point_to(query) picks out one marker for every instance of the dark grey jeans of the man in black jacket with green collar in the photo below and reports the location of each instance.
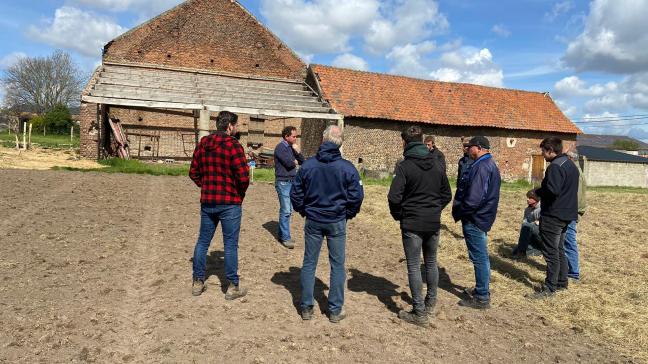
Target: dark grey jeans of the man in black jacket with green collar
(413, 244)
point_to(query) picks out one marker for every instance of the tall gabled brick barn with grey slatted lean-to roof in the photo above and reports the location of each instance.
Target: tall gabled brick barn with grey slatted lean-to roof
(164, 80)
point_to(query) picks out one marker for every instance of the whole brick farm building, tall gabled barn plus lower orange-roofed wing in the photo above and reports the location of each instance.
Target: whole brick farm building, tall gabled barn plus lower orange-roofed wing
(164, 80)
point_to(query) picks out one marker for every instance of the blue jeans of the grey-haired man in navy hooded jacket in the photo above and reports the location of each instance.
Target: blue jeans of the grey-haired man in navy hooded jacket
(314, 233)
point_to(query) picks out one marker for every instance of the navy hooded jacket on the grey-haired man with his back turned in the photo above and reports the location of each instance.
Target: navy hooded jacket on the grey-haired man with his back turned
(327, 188)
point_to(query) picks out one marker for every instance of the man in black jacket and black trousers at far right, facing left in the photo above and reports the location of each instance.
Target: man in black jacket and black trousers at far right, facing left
(559, 193)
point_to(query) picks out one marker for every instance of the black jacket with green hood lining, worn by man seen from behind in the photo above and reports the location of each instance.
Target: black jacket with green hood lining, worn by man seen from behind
(419, 191)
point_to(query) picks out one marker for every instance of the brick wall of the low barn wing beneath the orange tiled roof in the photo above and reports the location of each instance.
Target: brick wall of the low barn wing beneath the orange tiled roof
(379, 144)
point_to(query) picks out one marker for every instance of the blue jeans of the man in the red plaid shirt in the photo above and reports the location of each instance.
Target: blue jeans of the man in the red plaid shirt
(230, 217)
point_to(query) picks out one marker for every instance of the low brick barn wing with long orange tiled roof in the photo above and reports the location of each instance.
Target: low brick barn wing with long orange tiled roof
(377, 107)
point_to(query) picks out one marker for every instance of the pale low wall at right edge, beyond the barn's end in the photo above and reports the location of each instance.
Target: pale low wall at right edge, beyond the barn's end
(599, 173)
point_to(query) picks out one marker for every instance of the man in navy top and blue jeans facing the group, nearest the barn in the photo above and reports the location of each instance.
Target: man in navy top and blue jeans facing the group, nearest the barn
(286, 158)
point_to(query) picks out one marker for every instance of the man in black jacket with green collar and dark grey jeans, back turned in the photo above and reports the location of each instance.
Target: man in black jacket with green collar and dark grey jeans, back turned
(418, 193)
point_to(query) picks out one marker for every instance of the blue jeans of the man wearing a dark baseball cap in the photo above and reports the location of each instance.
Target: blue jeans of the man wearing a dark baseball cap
(476, 241)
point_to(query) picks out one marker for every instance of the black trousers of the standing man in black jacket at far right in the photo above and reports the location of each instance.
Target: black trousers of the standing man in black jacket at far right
(552, 233)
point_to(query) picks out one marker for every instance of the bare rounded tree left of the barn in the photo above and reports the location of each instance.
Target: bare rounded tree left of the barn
(40, 83)
